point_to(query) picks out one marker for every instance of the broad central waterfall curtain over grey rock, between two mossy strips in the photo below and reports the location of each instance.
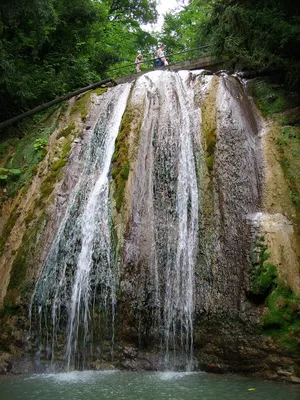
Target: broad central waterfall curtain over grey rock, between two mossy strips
(161, 243)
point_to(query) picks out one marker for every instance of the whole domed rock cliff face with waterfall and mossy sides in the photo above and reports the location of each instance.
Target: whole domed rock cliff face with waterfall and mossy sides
(180, 249)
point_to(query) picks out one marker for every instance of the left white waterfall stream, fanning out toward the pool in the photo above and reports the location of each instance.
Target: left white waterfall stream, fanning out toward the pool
(78, 278)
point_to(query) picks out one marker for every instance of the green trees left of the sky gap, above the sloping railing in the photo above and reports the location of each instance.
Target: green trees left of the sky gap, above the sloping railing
(51, 47)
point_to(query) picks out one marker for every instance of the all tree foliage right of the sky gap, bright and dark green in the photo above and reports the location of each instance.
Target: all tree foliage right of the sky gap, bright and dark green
(253, 34)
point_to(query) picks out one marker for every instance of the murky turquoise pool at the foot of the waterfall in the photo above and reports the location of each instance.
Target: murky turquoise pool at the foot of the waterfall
(119, 385)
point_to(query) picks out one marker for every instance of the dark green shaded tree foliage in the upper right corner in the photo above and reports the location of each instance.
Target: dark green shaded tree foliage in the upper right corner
(255, 34)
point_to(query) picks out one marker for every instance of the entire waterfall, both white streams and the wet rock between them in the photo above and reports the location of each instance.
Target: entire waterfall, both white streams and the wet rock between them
(181, 224)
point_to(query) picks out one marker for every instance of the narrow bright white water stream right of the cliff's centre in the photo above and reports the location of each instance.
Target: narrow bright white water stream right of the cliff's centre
(179, 300)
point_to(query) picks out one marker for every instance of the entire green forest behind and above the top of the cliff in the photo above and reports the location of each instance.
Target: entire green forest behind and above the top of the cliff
(50, 47)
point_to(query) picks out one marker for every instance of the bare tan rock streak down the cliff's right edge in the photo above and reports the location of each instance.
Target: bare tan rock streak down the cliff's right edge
(282, 240)
